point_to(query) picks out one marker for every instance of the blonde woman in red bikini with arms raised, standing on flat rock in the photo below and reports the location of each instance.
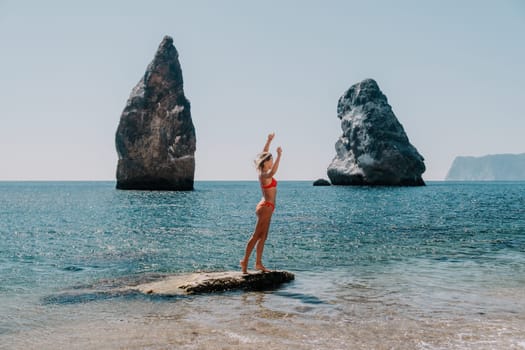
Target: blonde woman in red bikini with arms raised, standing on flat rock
(264, 210)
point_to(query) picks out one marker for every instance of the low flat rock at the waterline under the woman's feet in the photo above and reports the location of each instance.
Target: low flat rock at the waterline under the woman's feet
(209, 282)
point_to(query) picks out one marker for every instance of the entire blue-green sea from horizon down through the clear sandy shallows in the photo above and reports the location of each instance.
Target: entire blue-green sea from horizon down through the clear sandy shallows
(435, 267)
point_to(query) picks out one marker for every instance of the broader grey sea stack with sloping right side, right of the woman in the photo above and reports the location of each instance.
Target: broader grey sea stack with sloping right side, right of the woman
(374, 148)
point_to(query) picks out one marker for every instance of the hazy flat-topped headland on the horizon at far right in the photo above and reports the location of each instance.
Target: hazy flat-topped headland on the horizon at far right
(498, 167)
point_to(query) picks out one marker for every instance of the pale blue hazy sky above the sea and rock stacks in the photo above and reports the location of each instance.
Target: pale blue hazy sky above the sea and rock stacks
(453, 72)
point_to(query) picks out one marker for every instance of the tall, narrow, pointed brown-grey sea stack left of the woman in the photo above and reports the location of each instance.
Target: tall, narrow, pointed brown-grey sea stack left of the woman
(155, 138)
